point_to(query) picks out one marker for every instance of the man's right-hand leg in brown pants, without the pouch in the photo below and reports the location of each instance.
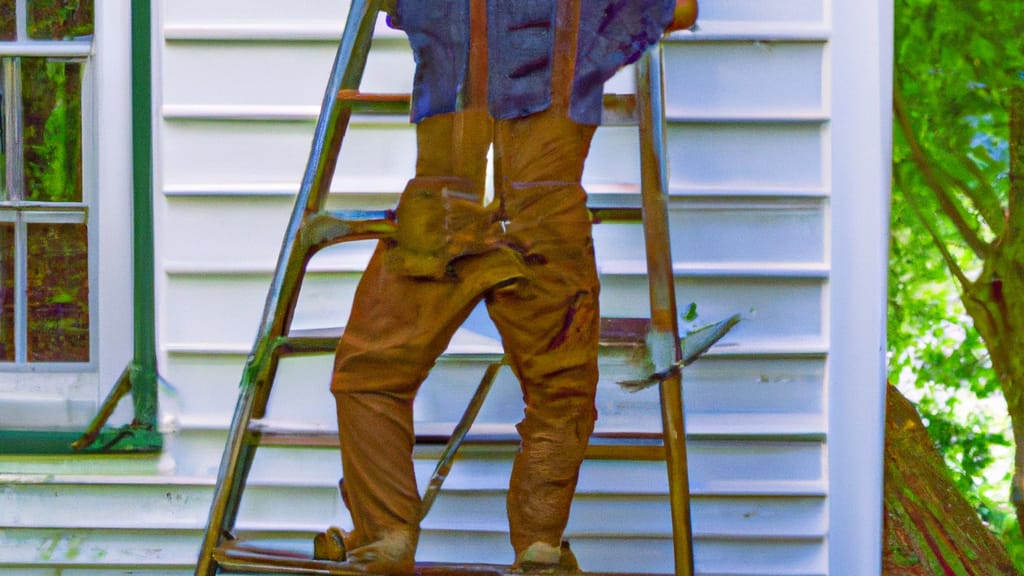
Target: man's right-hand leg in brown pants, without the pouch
(549, 321)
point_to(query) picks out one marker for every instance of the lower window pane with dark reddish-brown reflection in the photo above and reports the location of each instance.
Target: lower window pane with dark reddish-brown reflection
(59, 294)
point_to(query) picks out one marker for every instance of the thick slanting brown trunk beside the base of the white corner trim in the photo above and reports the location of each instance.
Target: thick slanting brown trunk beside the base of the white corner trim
(930, 529)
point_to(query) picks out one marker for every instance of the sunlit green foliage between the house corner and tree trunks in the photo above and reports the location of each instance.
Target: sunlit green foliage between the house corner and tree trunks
(956, 65)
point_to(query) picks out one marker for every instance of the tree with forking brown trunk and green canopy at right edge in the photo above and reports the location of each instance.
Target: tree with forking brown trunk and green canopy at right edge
(959, 172)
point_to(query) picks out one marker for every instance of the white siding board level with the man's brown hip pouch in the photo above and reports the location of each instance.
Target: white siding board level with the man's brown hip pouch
(217, 233)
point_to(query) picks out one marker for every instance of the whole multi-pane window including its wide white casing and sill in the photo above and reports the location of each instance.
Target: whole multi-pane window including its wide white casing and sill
(61, 177)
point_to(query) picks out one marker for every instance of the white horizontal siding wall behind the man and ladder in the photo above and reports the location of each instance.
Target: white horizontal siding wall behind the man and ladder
(749, 155)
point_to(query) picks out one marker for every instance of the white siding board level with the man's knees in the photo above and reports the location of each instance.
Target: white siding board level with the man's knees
(719, 394)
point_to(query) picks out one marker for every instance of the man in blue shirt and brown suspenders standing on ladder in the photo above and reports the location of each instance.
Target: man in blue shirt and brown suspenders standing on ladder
(527, 76)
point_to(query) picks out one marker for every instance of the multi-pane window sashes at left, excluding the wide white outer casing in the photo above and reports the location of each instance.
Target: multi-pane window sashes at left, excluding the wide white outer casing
(46, 312)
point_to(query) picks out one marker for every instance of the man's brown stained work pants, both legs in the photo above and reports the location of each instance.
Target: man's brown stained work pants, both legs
(540, 283)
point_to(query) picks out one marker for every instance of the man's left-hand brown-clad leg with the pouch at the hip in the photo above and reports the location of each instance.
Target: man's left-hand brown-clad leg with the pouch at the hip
(412, 299)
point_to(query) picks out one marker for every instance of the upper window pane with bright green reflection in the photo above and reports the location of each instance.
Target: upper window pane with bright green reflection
(52, 96)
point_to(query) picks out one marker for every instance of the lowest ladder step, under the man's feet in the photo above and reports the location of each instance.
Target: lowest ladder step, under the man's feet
(239, 556)
